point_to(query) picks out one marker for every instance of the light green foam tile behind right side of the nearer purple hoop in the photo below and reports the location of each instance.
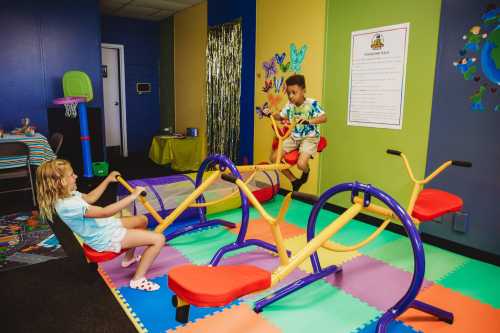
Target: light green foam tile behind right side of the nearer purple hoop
(438, 262)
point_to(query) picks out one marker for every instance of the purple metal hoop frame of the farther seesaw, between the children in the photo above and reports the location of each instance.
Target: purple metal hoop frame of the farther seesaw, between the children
(225, 163)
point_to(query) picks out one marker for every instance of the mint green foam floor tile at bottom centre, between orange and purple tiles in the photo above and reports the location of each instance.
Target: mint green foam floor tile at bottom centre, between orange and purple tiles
(319, 307)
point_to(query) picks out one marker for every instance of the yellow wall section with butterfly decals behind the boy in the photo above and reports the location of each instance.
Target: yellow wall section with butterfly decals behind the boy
(279, 25)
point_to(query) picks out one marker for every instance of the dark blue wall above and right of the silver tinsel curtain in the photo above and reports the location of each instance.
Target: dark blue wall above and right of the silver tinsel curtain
(222, 11)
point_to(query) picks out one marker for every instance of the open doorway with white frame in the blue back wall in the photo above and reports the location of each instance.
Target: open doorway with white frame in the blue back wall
(113, 83)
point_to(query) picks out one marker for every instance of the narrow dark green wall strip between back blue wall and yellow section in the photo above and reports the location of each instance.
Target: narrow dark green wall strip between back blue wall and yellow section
(167, 112)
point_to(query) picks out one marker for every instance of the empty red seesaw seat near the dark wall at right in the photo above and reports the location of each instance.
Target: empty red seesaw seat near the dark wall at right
(432, 203)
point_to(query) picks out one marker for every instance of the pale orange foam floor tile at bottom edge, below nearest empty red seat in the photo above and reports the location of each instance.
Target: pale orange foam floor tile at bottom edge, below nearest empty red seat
(240, 318)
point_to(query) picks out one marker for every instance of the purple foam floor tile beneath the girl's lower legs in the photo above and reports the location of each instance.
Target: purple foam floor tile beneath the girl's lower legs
(167, 259)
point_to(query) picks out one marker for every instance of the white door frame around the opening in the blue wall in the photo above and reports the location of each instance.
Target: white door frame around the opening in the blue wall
(123, 102)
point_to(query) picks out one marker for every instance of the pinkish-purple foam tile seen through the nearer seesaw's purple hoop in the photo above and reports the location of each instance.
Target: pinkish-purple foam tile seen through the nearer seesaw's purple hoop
(374, 282)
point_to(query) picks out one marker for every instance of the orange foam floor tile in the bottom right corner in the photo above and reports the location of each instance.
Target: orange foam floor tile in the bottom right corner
(470, 315)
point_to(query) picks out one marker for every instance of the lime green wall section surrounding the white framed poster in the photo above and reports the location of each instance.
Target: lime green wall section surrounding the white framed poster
(358, 153)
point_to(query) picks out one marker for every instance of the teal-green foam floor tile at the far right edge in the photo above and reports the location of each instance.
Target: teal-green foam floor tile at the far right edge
(476, 279)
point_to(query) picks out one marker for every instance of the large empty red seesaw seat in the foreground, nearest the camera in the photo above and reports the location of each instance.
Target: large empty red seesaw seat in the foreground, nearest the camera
(216, 286)
